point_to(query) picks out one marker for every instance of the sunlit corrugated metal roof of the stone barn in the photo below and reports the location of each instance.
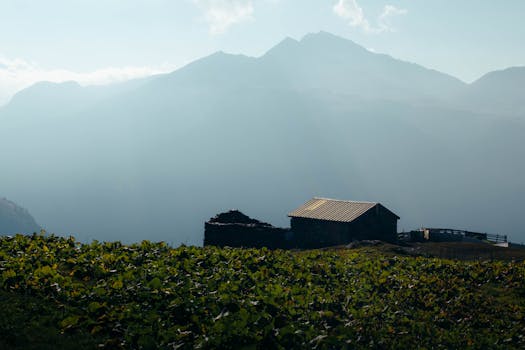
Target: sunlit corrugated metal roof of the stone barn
(332, 209)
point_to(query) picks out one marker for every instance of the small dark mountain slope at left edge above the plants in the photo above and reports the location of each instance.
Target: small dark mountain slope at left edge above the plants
(14, 219)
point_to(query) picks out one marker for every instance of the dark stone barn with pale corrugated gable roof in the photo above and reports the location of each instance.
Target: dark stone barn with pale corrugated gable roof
(323, 222)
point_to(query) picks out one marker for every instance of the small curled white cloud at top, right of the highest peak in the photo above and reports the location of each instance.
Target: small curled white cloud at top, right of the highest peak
(350, 11)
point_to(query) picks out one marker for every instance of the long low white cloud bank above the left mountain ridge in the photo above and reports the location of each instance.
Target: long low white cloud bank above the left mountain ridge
(17, 74)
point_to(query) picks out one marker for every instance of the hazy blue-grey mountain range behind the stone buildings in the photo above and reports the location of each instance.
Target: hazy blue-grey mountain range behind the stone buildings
(155, 158)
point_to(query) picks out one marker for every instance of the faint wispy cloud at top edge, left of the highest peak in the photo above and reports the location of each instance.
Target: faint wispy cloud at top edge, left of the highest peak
(222, 14)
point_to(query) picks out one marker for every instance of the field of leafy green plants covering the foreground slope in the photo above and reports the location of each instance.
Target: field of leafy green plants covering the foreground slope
(149, 295)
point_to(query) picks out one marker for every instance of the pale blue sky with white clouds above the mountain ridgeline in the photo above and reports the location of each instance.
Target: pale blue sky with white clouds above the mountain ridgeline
(104, 41)
